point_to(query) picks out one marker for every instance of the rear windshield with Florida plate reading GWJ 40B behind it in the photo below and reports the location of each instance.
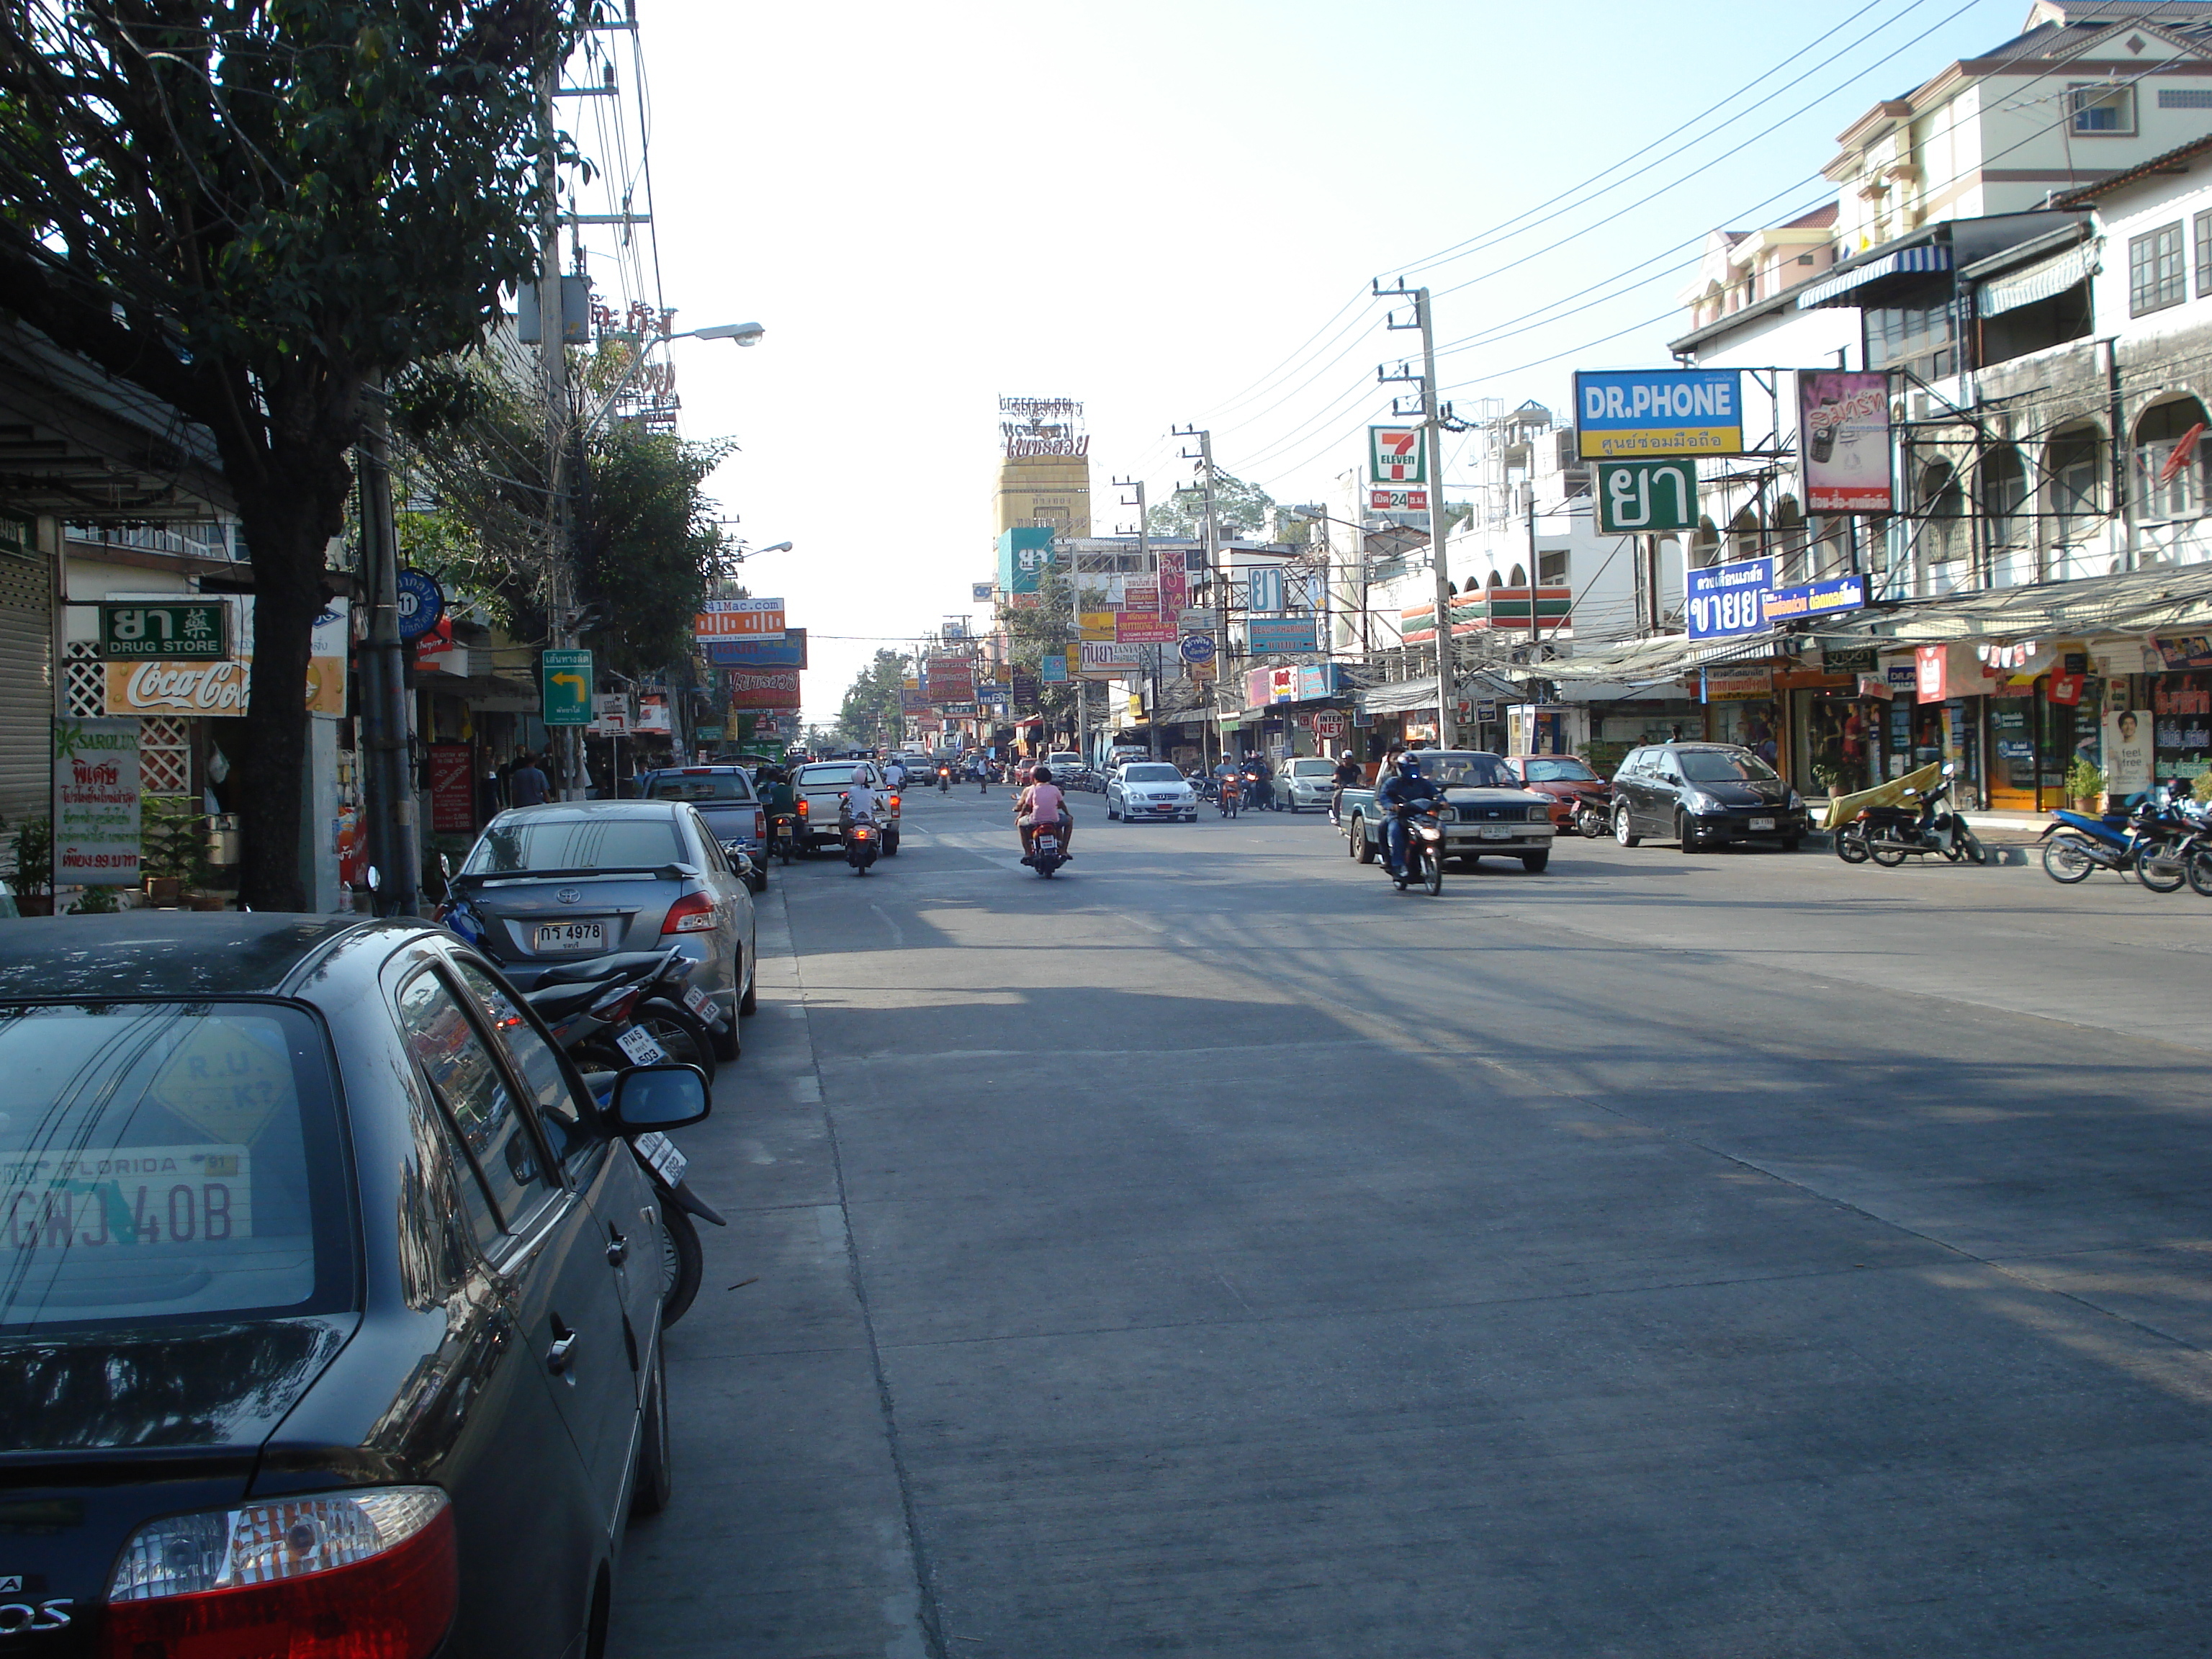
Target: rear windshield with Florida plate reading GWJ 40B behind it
(169, 1160)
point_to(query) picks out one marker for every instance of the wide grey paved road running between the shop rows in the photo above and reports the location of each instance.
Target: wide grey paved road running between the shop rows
(1220, 1253)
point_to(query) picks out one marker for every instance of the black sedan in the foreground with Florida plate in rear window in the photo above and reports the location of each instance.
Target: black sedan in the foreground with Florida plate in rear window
(333, 1300)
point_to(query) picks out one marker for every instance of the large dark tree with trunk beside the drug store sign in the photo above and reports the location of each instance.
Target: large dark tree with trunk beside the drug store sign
(255, 211)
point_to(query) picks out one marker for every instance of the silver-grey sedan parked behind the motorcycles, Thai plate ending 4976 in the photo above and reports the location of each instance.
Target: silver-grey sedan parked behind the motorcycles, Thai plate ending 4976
(587, 879)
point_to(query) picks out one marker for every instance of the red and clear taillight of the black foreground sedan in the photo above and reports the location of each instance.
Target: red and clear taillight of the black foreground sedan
(357, 1576)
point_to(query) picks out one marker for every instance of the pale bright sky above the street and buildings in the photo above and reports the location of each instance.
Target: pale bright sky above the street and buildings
(1156, 207)
